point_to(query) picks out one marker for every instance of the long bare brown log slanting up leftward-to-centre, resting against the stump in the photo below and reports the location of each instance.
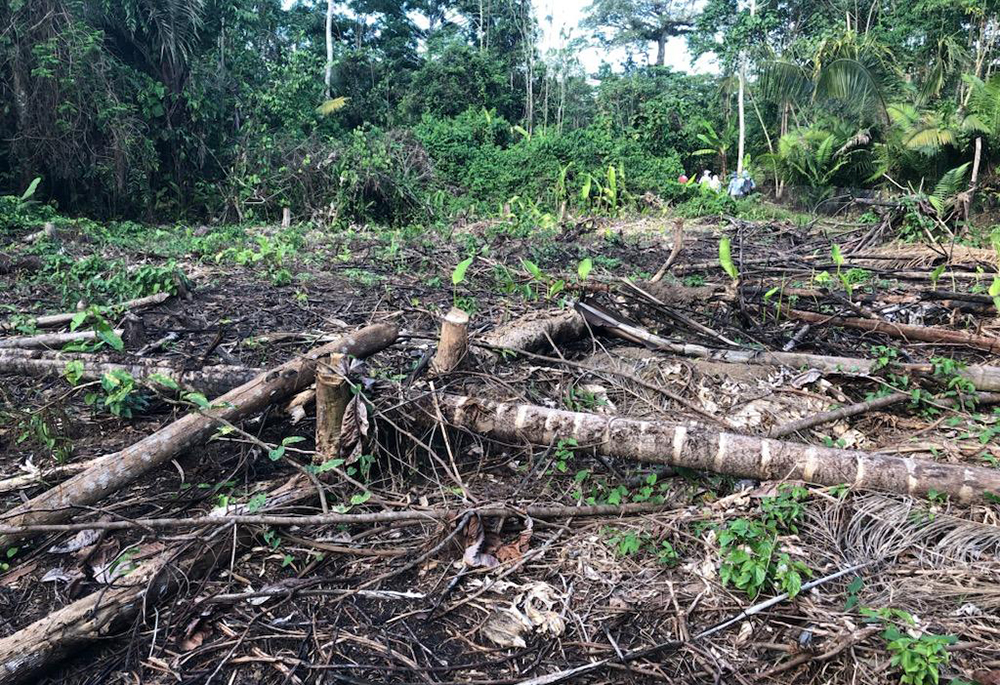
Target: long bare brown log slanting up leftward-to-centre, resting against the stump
(109, 475)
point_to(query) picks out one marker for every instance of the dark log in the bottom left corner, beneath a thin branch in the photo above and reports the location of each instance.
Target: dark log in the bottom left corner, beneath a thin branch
(113, 609)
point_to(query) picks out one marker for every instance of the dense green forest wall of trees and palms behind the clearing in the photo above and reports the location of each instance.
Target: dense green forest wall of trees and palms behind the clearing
(162, 109)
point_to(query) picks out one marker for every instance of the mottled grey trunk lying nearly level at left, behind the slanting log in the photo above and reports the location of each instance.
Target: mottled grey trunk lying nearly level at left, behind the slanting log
(210, 380)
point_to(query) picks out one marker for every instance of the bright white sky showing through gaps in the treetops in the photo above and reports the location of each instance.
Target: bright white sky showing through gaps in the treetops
(567, 14)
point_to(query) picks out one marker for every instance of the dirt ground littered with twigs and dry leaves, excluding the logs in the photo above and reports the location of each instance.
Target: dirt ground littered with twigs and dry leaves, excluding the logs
(400, 602)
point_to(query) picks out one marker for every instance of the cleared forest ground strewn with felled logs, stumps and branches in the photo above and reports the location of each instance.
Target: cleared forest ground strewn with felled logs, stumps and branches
(606, 476)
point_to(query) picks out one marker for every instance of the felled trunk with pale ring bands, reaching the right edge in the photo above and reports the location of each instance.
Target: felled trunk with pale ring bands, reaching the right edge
(702, 449)
